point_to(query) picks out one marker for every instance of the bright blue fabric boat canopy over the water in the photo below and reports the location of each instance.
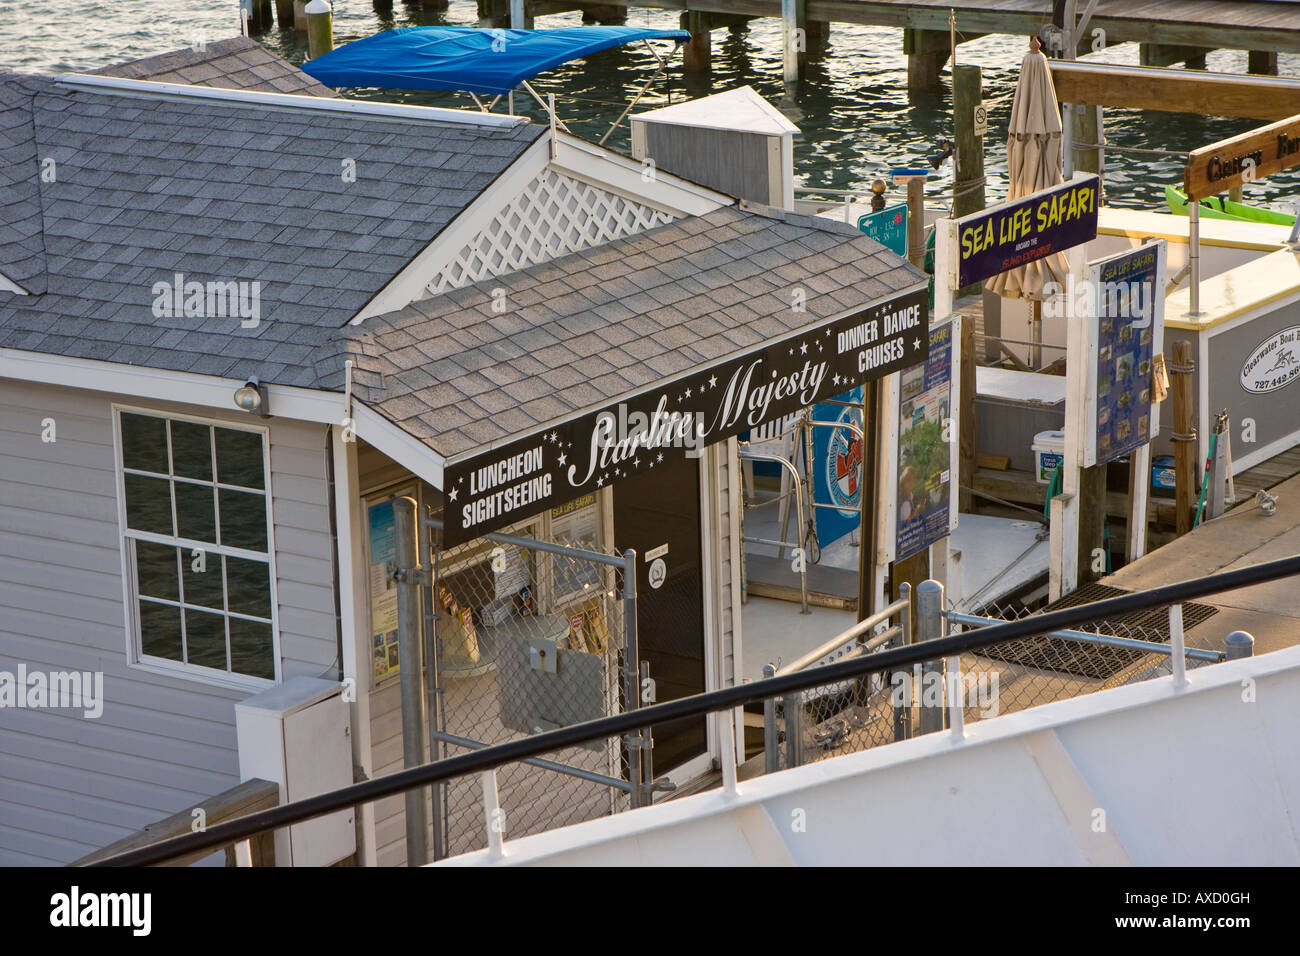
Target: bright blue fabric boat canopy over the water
(467, 58)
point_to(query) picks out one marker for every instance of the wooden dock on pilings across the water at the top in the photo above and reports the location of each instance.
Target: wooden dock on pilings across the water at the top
(1169, 31)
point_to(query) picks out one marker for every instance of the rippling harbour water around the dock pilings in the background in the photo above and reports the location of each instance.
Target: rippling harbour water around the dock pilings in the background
(855, 110)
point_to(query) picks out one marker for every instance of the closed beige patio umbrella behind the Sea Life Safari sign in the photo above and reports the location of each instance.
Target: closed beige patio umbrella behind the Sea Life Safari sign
(1033, 163)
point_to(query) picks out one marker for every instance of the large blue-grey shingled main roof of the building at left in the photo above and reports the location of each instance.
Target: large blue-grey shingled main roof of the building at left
(144, 187)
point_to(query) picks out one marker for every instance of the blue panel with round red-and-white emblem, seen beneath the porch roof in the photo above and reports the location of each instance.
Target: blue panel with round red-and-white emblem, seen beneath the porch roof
(838, 469)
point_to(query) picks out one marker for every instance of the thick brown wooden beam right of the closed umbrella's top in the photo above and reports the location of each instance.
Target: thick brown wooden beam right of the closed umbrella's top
(1145, 88)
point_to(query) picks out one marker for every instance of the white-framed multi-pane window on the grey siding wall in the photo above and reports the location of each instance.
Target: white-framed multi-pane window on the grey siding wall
(136, 657)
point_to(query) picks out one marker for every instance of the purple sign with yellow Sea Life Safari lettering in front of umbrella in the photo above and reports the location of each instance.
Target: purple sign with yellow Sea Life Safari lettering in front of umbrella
(1030, 228)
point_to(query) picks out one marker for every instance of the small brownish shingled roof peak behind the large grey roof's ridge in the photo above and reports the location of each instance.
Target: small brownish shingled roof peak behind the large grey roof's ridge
(239, 63)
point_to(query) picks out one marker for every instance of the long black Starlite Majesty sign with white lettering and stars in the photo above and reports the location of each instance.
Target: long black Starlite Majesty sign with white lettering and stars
(525, 478)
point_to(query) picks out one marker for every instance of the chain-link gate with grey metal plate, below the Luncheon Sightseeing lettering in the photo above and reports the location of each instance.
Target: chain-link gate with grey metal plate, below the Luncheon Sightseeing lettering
(523, 637)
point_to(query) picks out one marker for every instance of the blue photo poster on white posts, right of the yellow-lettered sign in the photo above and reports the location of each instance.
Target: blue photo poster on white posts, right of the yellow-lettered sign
(1126, 330)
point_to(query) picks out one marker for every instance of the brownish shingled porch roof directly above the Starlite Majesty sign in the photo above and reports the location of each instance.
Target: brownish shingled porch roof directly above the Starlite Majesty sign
(593, 327)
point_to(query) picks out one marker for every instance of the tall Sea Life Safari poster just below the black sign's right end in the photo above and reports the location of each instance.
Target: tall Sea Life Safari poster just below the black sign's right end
(925, 405)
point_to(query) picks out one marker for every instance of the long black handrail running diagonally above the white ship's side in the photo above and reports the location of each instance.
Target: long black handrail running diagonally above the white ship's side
(700, 704)
